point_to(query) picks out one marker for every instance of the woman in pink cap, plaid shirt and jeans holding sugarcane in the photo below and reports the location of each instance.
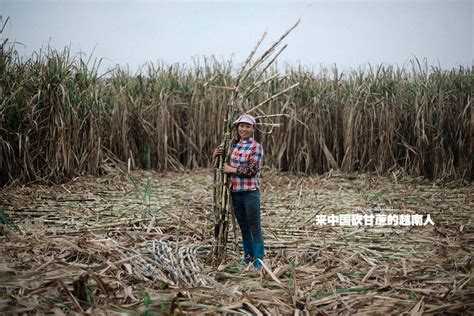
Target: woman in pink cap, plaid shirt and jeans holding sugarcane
(244, 170)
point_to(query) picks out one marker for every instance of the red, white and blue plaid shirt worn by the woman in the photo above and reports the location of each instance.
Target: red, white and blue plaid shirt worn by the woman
(247, 158)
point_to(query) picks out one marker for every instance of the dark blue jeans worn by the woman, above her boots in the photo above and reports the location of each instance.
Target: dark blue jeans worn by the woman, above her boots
(247, 210)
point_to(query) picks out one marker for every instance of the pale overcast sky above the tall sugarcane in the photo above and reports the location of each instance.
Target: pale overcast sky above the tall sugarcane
(345, 33)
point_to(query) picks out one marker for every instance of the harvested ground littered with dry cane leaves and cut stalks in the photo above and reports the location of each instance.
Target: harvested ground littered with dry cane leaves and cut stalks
(140, 244)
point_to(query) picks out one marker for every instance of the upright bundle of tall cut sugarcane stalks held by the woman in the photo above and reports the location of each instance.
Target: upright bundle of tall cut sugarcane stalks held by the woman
(244, 86)
